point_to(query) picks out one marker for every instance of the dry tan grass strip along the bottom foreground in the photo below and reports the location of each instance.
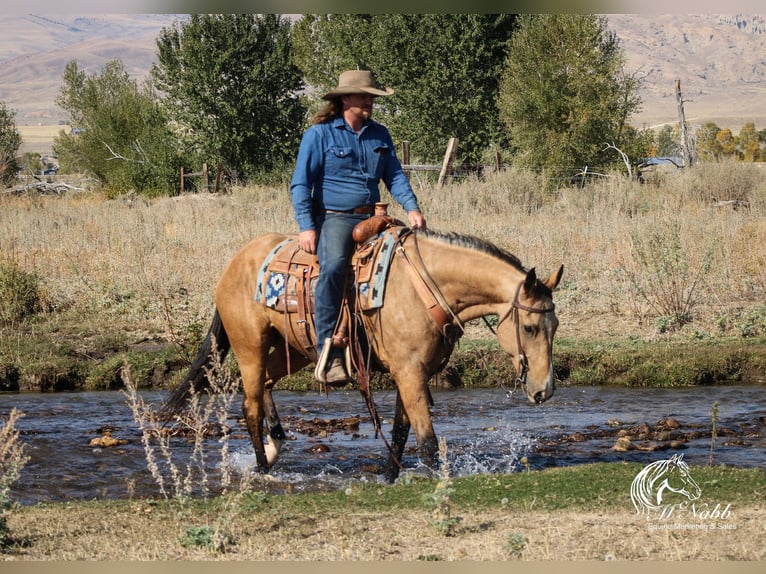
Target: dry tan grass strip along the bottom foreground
(143, 531)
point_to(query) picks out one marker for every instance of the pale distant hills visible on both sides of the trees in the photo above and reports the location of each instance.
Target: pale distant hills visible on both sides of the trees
(719, 59)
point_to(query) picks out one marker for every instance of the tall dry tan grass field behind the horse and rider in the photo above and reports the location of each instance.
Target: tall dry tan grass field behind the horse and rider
(133, 261)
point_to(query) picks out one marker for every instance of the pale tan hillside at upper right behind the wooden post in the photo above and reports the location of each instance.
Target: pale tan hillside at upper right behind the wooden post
(719, 59)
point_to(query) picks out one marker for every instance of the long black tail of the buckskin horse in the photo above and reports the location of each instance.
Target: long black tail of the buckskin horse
(197, 379)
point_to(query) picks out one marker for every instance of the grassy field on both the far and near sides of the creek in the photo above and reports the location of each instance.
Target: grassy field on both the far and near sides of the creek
(650, 271)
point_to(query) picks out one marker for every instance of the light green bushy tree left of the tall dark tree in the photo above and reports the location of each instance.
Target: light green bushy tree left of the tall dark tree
(121, 136)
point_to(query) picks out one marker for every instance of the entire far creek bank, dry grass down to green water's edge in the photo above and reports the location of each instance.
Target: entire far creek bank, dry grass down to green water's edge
(663, 285)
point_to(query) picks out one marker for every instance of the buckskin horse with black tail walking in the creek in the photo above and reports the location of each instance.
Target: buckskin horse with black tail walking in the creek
(467, 277)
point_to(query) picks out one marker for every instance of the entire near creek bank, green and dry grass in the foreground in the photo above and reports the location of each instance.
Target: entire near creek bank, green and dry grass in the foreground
(557, 514)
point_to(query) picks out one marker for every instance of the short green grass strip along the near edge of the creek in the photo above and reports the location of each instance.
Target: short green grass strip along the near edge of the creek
(588, 486)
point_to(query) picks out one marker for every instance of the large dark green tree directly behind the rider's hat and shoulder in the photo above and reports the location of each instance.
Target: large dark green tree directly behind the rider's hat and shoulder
(445, 69)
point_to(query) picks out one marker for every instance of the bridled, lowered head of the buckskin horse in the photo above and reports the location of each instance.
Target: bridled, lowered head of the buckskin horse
(526, 332)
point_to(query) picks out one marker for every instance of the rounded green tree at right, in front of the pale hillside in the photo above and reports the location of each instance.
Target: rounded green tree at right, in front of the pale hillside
(564, 93)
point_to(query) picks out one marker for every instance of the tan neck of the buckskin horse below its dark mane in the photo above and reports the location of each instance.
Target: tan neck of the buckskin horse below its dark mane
(473, 283)
